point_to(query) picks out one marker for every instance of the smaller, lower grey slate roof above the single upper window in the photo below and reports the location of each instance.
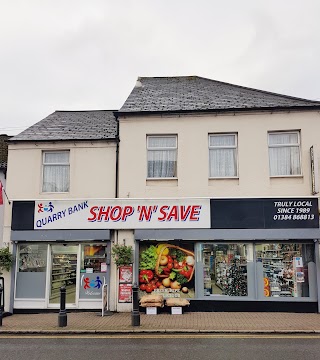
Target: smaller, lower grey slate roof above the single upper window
(72, 125)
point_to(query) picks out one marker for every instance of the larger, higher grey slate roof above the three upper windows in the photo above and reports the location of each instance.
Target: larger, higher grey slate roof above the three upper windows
(193, 93)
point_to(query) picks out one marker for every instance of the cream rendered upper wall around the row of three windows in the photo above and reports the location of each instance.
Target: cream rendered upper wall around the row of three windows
(193, 155)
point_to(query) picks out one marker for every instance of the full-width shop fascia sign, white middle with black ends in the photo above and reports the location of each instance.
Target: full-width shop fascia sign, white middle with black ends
(185, 213)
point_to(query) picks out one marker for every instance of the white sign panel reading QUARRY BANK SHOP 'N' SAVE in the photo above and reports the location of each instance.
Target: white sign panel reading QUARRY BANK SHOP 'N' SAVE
(122, 214)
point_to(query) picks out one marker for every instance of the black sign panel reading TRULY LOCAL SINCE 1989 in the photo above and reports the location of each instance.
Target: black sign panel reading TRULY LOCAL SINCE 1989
(267, 213)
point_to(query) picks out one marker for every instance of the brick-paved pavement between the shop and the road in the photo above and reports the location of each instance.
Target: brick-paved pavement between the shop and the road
(188, 322)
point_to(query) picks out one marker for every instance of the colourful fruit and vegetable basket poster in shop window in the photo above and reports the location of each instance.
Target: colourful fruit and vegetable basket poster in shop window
(166, 269)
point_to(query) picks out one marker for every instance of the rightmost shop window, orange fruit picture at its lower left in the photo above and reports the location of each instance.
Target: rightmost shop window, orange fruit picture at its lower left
(285, 268)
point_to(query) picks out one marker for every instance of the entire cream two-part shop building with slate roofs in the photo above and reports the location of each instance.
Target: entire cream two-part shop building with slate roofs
(215, 187)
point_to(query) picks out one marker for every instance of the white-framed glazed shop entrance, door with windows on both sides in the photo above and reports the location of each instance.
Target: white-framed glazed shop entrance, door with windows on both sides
(42, 269)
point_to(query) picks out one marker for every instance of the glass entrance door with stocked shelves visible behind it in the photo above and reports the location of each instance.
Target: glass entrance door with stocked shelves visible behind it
(63, 272)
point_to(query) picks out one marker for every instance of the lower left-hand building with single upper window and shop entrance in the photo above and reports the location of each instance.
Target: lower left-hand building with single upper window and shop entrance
(66, 157)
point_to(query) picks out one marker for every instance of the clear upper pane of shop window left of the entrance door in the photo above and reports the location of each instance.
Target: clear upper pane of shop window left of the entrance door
(33, 258)
